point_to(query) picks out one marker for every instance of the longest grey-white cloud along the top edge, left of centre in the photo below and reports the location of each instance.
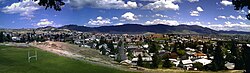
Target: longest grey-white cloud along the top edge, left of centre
(106, 4)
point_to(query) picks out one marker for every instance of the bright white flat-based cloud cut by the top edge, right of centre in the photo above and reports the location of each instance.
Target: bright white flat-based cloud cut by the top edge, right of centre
(162, 5)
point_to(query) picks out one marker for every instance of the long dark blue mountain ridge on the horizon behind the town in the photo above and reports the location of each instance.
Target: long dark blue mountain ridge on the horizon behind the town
(160, 28)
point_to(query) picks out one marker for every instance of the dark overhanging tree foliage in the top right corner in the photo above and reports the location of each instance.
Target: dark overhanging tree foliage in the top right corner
(240, 4)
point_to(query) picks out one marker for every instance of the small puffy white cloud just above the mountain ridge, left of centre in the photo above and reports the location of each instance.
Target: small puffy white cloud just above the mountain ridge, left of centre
(99, 21)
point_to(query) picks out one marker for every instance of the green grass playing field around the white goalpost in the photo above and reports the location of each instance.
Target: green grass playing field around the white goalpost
(14, 60)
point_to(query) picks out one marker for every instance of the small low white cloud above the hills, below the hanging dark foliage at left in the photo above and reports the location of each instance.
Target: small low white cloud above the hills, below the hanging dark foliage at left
(44, 23)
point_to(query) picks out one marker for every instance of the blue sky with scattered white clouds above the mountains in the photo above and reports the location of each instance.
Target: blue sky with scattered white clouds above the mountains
(214, 14)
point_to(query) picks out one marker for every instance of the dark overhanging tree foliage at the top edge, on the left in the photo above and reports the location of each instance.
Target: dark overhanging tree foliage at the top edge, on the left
(56, 4)
